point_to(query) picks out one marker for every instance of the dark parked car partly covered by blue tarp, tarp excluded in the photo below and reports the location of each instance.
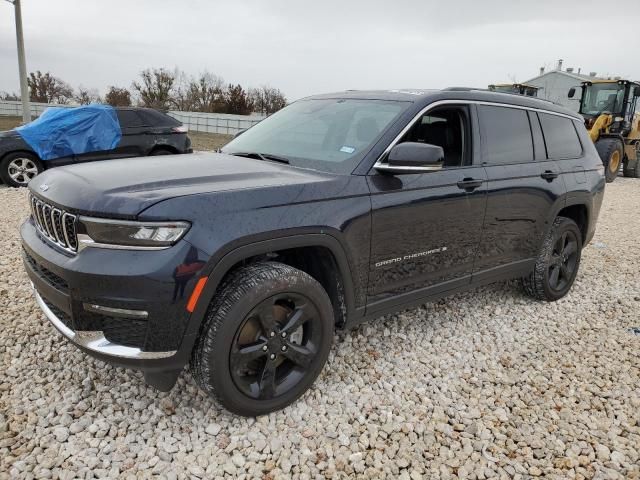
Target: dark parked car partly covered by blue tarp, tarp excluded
(144, 132)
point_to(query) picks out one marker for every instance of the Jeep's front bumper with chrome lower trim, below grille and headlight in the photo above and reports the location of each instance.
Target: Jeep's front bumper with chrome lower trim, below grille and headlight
(121, 280)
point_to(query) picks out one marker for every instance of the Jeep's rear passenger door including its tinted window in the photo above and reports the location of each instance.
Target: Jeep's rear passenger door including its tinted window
(523, 186)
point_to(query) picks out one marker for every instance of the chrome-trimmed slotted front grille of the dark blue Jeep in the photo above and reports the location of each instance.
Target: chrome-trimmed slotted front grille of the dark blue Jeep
(54, 224)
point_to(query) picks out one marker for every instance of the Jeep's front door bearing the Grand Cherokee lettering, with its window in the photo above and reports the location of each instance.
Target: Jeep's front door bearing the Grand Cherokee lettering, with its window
(426, 227)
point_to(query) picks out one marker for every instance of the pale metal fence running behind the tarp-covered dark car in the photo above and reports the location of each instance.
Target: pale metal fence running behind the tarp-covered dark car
(194, 121)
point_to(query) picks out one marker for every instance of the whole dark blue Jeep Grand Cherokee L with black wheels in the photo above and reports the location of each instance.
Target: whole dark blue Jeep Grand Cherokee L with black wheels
(336, 209)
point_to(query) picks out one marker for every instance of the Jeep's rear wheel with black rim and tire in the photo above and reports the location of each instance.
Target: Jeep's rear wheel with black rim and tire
(557, 263)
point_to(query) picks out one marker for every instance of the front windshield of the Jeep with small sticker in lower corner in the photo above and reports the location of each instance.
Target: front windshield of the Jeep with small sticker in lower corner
(330, 135)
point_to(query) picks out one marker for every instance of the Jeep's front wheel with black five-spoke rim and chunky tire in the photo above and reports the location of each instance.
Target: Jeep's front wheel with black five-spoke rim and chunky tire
(266, 337)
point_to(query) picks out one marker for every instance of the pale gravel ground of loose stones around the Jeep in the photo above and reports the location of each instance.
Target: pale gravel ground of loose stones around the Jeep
(479, 385)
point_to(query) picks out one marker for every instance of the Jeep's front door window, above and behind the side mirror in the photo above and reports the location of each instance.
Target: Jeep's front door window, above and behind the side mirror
(447, 128)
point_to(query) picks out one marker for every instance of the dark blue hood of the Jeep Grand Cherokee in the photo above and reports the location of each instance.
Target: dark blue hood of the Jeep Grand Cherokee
(123, 188)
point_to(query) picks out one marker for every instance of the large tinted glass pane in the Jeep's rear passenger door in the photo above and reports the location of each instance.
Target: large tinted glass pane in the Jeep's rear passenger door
(506, 134)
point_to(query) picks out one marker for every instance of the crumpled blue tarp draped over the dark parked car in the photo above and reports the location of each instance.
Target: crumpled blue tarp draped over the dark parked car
(61, 132)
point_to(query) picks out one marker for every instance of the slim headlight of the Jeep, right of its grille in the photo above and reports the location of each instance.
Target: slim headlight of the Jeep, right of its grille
(98, 232)
